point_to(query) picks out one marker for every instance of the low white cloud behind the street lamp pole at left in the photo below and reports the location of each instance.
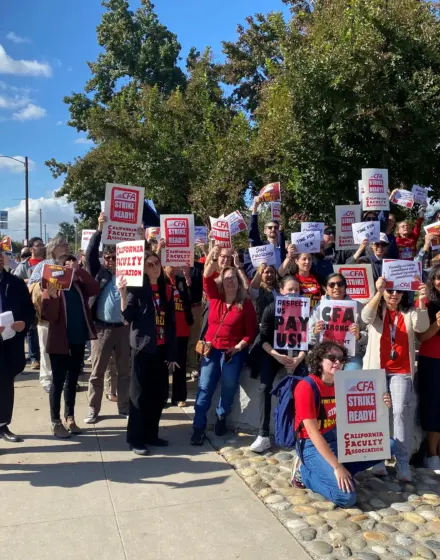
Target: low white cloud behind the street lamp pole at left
(54, 211)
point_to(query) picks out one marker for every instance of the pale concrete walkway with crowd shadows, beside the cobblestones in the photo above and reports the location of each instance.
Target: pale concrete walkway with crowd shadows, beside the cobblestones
(90, 498)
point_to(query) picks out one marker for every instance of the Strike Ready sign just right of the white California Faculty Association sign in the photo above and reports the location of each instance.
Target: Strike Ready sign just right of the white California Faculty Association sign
(178, 232)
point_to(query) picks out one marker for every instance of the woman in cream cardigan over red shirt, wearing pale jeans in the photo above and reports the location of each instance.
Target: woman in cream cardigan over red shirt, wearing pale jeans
(391, 346)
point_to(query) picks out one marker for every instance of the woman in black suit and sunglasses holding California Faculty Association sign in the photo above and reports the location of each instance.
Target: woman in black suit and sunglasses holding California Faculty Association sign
(149, 310)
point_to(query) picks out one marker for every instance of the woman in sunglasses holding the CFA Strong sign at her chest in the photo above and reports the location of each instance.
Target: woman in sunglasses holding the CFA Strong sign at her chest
(336, 290)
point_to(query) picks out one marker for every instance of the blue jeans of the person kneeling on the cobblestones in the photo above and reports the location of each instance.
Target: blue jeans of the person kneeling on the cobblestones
(319, 476)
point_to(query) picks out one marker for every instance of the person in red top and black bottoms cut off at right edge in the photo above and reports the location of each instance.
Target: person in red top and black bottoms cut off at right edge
(429, 373)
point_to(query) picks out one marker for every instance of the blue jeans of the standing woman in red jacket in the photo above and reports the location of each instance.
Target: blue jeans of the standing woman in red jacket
(214, 368)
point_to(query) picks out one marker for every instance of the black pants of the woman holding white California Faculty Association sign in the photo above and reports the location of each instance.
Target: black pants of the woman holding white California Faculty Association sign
(149, 384)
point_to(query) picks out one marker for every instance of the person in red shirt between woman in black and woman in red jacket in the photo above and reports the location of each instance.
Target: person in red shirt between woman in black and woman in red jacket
(180, 281)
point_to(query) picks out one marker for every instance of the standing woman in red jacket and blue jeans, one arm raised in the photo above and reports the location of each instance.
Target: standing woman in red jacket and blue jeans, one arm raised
(232, 326)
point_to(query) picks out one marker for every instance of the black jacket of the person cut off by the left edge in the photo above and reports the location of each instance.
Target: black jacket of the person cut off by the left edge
(15, 297)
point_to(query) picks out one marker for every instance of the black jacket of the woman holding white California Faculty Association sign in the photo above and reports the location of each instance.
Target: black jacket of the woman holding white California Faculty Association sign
(141, 314)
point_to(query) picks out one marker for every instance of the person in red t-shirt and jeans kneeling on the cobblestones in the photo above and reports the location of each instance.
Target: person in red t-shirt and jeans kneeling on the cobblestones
(317, 443)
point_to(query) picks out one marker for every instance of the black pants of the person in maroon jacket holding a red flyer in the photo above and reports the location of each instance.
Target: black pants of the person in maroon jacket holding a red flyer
(65, 372)
